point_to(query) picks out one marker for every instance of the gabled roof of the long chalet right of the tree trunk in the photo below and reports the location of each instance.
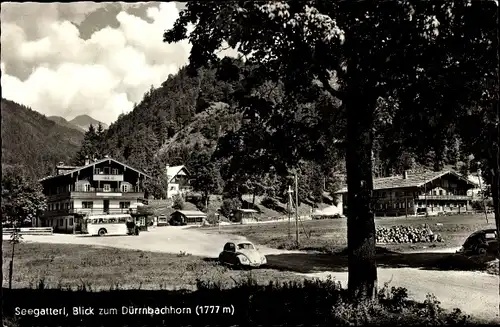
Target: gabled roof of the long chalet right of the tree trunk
(412, 180)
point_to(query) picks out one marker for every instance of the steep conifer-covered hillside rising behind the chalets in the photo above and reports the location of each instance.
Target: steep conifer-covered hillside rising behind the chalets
(193, 119)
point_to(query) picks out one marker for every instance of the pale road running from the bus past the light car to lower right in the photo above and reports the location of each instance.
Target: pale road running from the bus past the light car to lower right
(474, 292)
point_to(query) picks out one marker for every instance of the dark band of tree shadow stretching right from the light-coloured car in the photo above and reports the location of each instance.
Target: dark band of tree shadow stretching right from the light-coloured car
(337, 262)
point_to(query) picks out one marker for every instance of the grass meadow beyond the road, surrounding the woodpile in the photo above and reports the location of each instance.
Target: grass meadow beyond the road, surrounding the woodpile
(330, 235)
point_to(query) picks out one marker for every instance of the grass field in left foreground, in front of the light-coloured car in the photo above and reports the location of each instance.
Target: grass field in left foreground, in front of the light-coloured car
(75, 266)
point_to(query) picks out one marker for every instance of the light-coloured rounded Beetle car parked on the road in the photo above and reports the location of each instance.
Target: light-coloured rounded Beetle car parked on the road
(241, 255)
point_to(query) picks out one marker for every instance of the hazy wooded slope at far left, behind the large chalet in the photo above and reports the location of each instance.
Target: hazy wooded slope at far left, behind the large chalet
(33, 141)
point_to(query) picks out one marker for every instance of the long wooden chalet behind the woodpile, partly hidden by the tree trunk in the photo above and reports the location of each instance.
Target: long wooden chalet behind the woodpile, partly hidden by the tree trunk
(412, 194)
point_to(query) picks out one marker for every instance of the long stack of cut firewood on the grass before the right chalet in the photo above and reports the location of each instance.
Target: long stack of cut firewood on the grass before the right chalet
(406, 234)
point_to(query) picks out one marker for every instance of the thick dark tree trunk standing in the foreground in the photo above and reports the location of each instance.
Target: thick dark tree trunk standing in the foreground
(362, 282)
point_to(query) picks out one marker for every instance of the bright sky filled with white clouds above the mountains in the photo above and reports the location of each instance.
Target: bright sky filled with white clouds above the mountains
(69, 59)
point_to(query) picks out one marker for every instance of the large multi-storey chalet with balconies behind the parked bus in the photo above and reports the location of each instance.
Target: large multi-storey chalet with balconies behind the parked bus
(103, 186)
